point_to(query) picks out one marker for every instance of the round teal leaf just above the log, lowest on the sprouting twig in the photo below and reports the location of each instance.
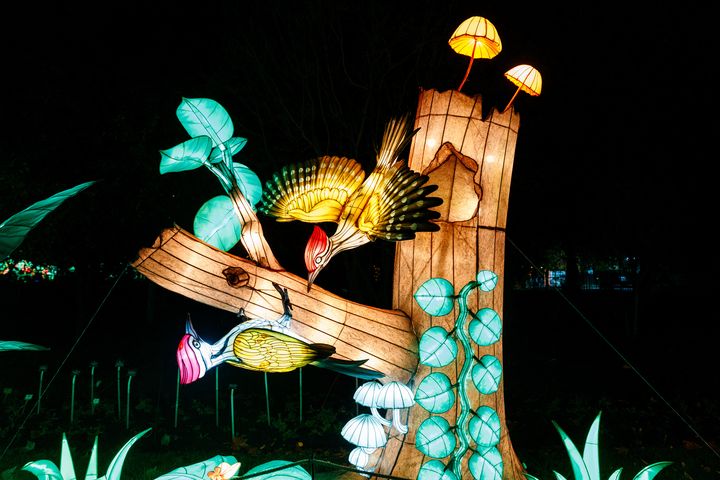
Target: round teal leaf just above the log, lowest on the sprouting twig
(217, 224)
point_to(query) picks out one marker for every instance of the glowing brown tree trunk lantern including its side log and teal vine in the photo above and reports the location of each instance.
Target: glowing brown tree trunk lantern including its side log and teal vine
(470, 159)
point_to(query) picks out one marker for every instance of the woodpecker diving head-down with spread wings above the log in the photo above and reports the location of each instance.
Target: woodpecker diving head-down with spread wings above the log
(392, 203)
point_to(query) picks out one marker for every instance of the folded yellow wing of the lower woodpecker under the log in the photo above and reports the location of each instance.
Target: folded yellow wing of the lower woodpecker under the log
(270, 351)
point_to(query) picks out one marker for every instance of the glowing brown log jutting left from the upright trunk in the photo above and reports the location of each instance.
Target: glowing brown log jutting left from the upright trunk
(182, 263)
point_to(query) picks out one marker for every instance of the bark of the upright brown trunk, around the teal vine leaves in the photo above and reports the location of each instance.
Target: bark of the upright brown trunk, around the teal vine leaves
(471, 160)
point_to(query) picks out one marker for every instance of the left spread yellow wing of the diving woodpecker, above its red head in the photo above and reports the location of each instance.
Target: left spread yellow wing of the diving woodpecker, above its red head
(313, 191)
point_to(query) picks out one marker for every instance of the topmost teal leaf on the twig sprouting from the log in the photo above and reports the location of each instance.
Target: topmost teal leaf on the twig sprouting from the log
(203, 116)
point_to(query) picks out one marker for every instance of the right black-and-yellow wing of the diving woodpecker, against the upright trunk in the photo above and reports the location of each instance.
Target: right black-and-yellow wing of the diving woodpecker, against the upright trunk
(400, 206)
